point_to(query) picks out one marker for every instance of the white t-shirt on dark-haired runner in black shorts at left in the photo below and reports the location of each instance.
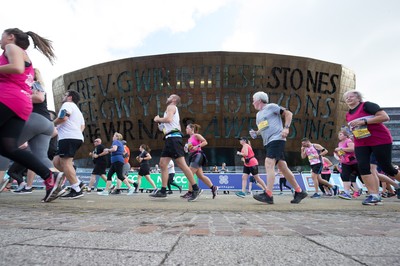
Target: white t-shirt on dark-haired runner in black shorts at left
(71, 129)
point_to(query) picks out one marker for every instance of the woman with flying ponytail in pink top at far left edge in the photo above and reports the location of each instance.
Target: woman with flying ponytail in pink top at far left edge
(16, 79)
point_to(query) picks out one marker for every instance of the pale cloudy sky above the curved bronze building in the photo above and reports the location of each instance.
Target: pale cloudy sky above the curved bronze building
(362, 35)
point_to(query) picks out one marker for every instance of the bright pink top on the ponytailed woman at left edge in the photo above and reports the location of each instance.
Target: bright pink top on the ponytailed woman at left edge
(16, 90)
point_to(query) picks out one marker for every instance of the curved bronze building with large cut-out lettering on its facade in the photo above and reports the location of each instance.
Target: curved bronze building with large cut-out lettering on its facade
(216, 90)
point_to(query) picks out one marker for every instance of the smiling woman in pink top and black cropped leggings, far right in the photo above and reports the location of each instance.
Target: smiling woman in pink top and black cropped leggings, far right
(371, 136)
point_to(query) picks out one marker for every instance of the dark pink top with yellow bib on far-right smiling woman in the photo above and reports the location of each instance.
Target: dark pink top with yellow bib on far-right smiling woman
(368, 135)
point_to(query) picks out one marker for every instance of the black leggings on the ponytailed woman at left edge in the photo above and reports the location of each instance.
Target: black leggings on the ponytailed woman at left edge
(10, 129)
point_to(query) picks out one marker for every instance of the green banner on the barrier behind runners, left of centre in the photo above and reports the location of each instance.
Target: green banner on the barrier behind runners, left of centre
(179, 179)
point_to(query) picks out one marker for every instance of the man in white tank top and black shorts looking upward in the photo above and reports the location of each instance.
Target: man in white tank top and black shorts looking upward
(173, 149)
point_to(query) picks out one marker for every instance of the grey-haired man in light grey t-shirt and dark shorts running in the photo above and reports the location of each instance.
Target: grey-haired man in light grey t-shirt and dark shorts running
(273, 133)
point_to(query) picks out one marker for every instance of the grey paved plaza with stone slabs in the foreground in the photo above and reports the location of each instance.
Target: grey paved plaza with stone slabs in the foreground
(138, 230)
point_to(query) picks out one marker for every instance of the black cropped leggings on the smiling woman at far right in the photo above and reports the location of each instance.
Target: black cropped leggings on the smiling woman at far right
(383, 154)
